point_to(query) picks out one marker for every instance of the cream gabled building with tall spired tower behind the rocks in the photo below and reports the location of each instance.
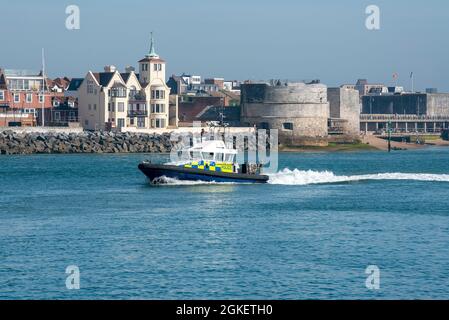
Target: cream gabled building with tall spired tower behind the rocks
(112, 100)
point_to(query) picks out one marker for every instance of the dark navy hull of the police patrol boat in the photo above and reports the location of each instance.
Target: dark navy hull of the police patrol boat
(155, 171)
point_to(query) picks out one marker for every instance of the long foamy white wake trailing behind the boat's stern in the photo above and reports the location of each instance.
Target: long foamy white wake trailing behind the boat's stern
(298, 177)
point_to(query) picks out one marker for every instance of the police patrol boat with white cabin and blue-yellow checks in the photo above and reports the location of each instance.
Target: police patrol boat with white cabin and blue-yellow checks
(209, 161)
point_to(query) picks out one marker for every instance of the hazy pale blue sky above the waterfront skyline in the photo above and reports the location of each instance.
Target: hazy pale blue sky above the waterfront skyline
(236, 39)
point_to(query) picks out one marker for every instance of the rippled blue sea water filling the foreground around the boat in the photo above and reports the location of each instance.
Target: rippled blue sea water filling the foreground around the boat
(309, 235)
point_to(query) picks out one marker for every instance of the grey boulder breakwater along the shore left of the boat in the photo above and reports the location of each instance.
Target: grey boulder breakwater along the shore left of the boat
(87, 142)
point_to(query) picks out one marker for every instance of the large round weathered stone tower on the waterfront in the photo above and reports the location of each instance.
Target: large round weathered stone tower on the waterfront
(298, 111)
